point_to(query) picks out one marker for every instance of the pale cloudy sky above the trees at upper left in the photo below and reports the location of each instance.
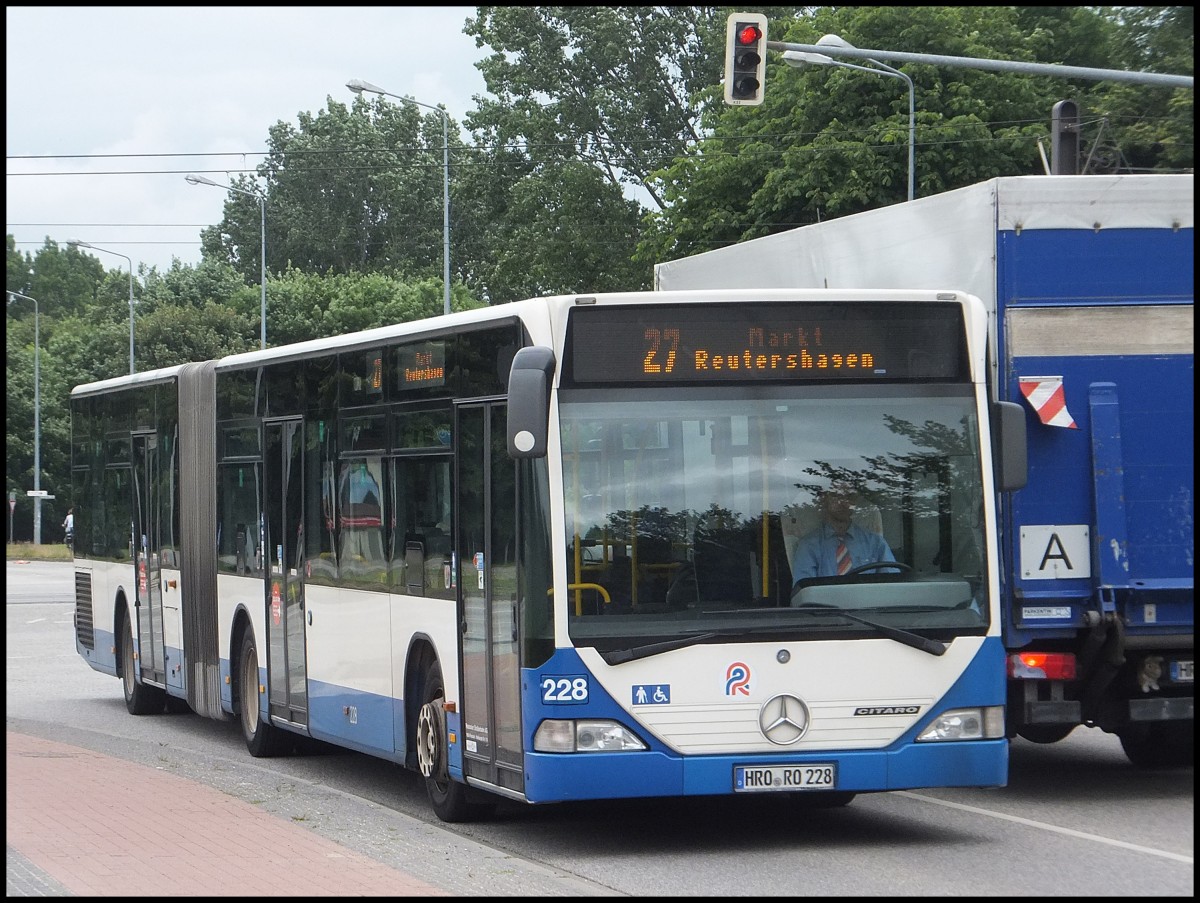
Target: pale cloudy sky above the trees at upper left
(109, 109)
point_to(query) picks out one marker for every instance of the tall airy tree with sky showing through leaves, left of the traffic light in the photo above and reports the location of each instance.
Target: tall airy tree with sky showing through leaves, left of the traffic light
(609, 86)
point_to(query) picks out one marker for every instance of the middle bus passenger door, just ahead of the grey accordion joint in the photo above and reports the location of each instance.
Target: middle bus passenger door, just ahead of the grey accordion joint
(284, 552)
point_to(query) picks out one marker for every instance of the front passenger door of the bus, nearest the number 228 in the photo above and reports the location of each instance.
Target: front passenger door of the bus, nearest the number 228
(487, 554)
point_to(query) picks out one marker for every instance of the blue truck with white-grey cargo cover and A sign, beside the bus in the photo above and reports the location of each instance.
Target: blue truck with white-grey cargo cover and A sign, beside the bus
(1090, 286)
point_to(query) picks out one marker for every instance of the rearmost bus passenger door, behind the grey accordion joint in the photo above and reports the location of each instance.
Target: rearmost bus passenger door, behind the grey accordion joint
(148, 595)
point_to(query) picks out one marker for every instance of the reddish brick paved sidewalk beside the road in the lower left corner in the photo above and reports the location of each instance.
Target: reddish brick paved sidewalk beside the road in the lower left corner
(103, 827)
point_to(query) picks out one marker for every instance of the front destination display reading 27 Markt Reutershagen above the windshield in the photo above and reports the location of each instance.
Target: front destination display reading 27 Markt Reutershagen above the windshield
(769, 343)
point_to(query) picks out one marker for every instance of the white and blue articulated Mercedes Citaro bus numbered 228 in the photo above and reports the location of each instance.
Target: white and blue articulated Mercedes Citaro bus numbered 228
(545, 551)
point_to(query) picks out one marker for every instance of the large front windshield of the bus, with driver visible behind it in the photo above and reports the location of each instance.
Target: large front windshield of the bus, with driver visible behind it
(772, 510)
